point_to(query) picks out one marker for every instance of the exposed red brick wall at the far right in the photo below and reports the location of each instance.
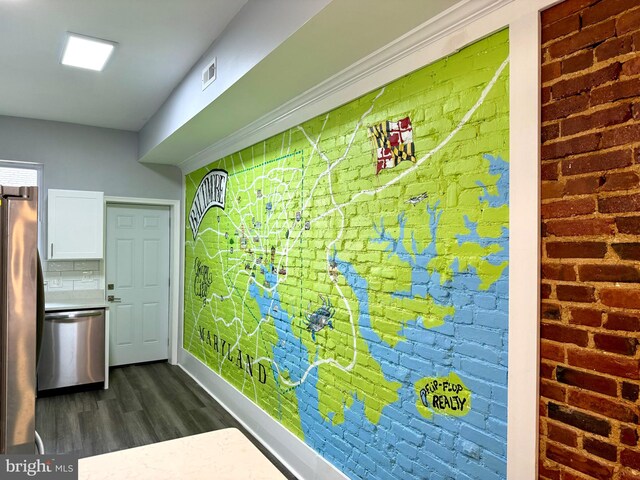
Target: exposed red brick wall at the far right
(590, 286)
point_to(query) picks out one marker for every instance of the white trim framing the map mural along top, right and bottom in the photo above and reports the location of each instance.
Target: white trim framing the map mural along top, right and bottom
(522, 17)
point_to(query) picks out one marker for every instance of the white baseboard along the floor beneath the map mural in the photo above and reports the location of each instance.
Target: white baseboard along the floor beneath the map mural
(292, 452)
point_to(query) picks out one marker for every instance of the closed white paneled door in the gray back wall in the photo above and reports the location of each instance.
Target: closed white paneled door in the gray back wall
(138, 279)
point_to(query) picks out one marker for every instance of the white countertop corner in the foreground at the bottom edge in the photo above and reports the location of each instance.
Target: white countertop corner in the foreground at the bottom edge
(222, 455)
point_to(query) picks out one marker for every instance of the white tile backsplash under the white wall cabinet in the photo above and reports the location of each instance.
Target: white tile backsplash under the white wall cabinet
(73, 275)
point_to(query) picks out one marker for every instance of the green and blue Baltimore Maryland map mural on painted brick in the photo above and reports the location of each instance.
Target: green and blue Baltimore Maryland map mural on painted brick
(350, 275)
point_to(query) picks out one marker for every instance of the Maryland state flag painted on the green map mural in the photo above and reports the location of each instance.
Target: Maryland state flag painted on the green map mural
(393, 142)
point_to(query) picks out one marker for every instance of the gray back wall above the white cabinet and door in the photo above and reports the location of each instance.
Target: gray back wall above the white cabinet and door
(78, 157)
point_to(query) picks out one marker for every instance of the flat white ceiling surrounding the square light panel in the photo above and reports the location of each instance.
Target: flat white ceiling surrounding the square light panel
(159, 41)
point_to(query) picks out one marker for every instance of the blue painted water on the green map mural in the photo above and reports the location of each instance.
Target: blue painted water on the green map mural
(472, 342)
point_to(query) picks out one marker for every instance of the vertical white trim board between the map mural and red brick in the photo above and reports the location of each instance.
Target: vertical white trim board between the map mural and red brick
(524, 262)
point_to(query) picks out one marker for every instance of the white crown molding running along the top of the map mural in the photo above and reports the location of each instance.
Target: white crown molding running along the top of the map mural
(370, 72)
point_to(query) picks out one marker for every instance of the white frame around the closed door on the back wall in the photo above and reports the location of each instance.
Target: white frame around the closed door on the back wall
(174, 259)
